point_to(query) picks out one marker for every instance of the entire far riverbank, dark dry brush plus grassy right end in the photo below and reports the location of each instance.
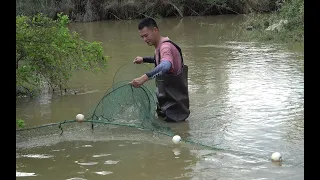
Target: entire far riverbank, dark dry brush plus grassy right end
(267, 20)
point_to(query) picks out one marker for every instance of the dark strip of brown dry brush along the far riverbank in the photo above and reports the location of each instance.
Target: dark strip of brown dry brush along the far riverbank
(96, 10)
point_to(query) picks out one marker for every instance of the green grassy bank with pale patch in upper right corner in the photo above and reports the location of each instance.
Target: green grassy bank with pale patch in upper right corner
(286, 24)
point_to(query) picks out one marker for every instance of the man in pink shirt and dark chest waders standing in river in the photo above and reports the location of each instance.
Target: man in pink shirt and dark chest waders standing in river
(170, 73)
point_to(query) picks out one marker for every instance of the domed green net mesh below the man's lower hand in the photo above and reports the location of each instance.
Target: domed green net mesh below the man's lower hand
(126, 105)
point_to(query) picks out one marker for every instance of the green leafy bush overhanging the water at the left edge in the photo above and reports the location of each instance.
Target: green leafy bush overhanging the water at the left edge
(48, 52)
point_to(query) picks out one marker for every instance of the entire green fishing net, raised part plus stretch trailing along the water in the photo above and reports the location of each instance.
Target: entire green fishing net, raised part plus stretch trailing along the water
(121, 106)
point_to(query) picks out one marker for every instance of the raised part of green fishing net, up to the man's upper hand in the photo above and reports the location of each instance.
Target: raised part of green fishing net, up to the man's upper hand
(126, 105)
